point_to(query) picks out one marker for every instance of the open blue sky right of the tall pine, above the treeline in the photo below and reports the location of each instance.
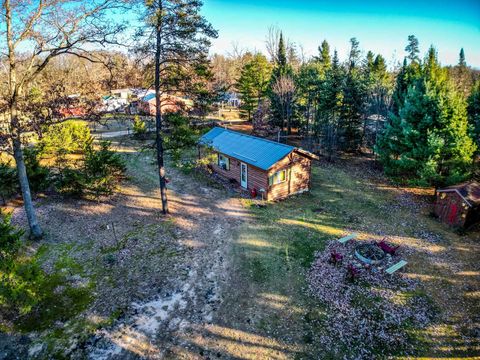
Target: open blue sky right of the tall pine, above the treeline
(380, 26)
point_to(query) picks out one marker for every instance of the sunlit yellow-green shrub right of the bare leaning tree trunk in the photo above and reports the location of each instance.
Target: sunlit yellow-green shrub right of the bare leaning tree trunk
(69, 137)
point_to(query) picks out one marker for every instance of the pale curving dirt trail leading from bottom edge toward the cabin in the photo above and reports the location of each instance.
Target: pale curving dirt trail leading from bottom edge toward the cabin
(206, 220)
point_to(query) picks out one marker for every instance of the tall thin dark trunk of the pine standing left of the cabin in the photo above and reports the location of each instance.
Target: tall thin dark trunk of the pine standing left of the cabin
(158, 120)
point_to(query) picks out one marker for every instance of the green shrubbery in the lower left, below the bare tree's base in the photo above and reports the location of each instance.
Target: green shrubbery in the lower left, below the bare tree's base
(31, 299)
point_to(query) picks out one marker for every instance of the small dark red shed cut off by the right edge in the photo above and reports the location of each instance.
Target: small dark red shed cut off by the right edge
(459, 205)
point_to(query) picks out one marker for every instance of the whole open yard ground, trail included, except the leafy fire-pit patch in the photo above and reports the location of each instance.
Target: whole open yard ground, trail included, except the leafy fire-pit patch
(223, 278)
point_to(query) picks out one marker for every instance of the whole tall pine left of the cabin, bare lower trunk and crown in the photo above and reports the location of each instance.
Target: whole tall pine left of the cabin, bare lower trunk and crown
(176, 39)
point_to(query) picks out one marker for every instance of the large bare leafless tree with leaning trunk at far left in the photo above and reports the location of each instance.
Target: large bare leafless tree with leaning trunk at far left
(32, 33)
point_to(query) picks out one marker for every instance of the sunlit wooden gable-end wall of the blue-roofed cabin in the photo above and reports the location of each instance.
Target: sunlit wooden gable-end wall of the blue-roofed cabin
(298, 176)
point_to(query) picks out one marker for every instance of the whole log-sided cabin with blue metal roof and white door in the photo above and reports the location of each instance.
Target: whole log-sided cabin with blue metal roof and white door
(265, 167)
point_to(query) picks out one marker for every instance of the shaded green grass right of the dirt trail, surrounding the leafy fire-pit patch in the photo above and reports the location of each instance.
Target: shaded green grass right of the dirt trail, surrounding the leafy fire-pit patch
(274, 251)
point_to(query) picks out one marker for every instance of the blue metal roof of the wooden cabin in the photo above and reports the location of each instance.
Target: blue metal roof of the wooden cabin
(252, 150)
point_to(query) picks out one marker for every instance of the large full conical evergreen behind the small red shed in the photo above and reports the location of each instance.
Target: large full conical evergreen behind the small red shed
(428, 140)
